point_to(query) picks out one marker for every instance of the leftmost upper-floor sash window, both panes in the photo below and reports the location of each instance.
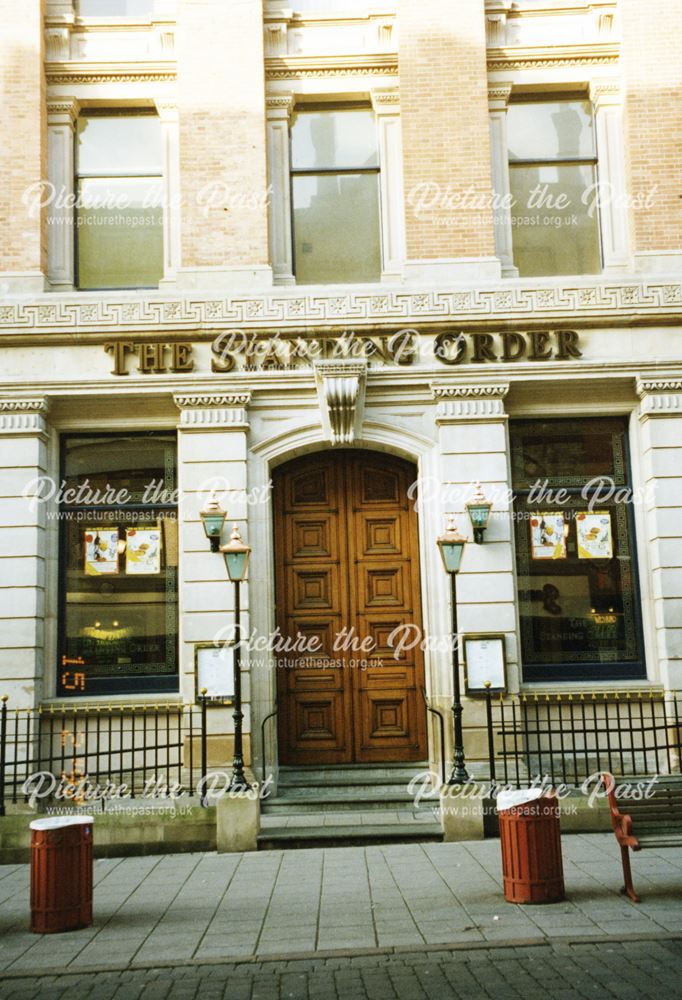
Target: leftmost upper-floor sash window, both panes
(119, 217)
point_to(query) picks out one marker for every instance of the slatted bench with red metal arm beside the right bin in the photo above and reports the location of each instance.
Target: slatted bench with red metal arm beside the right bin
(649, 822)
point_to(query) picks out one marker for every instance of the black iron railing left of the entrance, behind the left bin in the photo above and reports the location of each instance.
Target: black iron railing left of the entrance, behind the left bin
(101, 753)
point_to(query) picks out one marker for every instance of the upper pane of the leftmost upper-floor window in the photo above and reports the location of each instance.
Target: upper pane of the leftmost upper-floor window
(119, 144)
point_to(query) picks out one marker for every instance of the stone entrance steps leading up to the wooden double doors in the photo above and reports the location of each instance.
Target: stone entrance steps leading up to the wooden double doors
(347, 806)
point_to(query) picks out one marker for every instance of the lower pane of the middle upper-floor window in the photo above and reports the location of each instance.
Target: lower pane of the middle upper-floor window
(336, 228)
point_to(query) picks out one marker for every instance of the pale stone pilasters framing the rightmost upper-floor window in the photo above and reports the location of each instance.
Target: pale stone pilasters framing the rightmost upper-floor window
(607, 101)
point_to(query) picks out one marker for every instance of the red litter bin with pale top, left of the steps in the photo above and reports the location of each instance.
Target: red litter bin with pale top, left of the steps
(61, 874)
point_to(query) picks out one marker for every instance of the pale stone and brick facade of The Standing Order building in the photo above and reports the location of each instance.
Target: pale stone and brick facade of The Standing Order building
(339, 262)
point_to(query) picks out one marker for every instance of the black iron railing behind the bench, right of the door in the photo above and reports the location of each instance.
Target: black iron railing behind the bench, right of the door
(566, 737)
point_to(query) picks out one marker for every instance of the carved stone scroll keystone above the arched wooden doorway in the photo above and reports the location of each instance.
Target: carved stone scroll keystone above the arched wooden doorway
(341, 391)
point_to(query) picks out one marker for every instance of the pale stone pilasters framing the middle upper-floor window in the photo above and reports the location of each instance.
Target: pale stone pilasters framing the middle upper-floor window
(385, 103)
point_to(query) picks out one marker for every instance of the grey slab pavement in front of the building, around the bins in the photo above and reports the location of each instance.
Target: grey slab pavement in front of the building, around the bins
(208, 907)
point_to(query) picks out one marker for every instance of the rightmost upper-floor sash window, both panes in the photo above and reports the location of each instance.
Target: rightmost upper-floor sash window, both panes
(553, 175)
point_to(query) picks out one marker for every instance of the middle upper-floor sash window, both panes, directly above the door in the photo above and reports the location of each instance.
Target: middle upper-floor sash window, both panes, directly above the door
(335, 195)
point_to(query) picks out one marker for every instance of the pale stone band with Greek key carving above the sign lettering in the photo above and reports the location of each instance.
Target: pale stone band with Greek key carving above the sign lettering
(622, 301)
